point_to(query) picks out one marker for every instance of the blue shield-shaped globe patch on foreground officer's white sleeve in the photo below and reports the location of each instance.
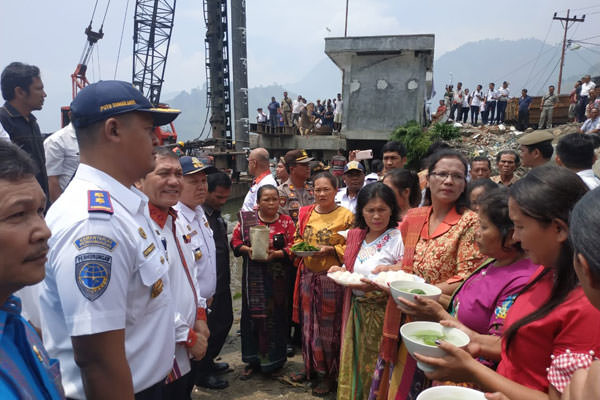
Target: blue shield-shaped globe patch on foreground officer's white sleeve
(92, 274)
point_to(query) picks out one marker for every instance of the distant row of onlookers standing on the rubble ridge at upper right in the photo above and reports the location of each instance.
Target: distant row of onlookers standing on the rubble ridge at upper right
(491, 104)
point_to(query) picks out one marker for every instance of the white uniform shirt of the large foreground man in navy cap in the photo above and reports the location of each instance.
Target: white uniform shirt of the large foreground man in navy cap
(106, 272)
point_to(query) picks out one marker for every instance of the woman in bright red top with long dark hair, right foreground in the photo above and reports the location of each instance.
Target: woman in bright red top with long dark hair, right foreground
(551, 318)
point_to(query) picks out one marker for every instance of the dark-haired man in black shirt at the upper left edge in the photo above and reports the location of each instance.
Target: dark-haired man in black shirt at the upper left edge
(23, 90)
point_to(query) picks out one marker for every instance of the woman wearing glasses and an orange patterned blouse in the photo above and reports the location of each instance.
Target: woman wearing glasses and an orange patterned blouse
(439, 245)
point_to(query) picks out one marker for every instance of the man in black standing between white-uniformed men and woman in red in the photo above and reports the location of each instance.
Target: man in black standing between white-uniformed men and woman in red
(220, 317)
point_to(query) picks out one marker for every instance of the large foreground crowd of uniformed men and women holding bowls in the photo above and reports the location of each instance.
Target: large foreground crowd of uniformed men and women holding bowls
(126, 275)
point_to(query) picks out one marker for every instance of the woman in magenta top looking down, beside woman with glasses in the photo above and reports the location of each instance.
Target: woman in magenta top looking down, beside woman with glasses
(482, 301)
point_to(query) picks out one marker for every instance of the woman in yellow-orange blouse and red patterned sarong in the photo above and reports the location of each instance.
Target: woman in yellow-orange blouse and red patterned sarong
(317, 298)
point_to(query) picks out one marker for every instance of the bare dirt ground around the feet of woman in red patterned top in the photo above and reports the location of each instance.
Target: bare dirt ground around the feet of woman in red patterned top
(258, 387)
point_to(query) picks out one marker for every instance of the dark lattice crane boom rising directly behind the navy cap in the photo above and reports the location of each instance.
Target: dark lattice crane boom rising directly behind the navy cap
(152, 27)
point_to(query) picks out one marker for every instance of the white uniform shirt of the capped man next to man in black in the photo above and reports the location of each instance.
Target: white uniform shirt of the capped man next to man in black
(198, 239)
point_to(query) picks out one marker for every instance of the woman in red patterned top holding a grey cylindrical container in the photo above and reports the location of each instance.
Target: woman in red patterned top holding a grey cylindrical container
(265, 295)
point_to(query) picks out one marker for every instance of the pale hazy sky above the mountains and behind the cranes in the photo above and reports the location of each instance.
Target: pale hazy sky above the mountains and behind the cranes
(285, 38)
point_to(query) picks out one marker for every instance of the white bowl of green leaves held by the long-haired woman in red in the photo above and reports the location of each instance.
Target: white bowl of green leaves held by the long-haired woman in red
(414, 345)
